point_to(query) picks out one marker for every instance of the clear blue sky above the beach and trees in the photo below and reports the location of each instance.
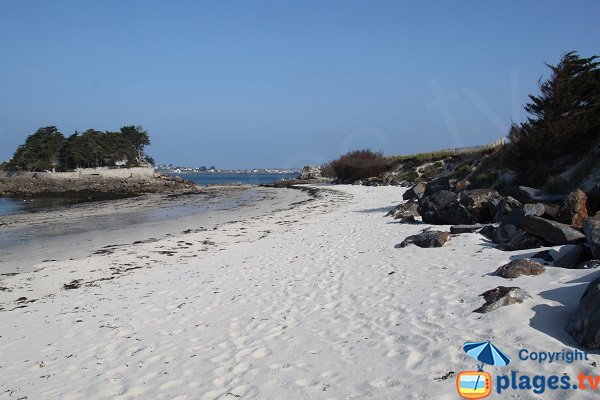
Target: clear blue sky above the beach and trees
(241, 84)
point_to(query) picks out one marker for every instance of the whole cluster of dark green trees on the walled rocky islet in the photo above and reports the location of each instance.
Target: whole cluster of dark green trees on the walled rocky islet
(48, 149)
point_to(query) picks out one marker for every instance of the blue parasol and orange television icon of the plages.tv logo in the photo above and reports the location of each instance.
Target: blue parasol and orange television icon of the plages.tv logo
(478, 384)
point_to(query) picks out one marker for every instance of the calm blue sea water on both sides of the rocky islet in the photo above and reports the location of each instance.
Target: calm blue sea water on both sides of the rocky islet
(12, 205)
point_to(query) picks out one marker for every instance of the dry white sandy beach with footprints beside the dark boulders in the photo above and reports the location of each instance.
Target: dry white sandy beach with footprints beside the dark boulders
(310, 301)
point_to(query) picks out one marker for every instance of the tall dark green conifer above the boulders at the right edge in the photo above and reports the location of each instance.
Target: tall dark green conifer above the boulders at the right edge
(564, 120)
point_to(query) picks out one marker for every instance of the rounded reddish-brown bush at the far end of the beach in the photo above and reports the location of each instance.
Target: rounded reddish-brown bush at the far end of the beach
(359, 164)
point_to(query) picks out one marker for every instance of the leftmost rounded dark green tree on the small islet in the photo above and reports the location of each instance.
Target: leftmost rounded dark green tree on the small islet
(40, 152)
